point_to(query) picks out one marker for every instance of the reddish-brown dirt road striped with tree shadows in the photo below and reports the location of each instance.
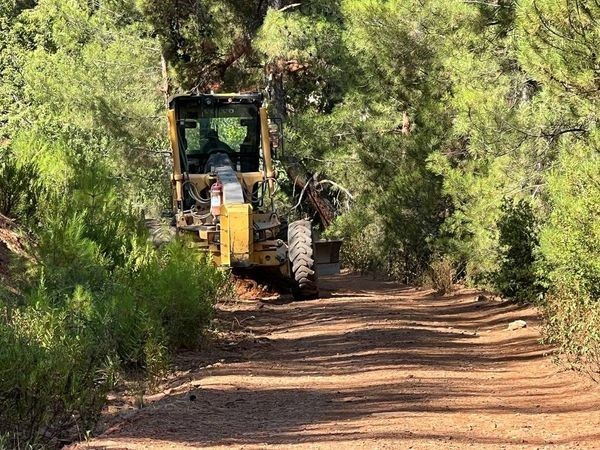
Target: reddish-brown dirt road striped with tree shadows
(374, 365)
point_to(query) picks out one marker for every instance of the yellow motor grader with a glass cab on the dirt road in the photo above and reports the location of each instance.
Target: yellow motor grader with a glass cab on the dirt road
(223, 178)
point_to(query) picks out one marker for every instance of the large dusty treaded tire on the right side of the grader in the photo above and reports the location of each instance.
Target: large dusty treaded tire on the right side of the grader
(301, 255)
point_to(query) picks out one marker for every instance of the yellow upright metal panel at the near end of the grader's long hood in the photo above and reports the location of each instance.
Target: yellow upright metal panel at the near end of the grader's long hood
(236, 234)
